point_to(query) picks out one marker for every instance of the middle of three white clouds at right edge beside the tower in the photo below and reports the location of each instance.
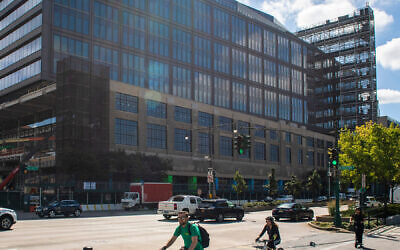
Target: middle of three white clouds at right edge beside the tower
(388, 55)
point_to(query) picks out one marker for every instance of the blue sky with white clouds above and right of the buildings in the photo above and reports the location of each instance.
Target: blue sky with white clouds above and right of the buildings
(295, 14)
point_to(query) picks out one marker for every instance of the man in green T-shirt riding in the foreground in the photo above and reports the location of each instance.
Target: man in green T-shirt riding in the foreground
(192, 239)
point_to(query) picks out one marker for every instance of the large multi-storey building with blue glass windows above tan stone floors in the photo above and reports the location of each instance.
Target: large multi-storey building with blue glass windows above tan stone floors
(182, 75)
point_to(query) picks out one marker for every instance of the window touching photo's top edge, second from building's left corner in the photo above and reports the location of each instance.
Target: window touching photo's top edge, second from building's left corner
(106, 22)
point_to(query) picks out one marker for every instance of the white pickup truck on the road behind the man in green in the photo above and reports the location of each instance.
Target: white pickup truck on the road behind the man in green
(178, 203)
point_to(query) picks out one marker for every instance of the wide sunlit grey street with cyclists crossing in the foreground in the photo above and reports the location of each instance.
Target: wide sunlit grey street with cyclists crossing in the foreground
(151, 231)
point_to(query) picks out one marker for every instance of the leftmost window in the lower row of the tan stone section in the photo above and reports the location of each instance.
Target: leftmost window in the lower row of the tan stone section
(125, 132)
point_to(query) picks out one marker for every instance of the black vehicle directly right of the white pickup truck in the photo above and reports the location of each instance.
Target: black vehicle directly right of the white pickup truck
(219, 209)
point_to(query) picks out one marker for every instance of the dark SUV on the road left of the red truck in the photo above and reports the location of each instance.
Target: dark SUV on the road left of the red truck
(64, 207)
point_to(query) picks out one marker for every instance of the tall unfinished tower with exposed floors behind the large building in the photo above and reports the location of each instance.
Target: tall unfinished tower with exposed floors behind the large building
(347, 93)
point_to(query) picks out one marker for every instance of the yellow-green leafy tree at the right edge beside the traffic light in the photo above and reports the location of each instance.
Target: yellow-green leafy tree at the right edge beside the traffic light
(373, 150)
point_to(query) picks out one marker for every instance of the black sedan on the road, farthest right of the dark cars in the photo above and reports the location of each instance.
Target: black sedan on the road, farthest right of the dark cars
(294, 211)
